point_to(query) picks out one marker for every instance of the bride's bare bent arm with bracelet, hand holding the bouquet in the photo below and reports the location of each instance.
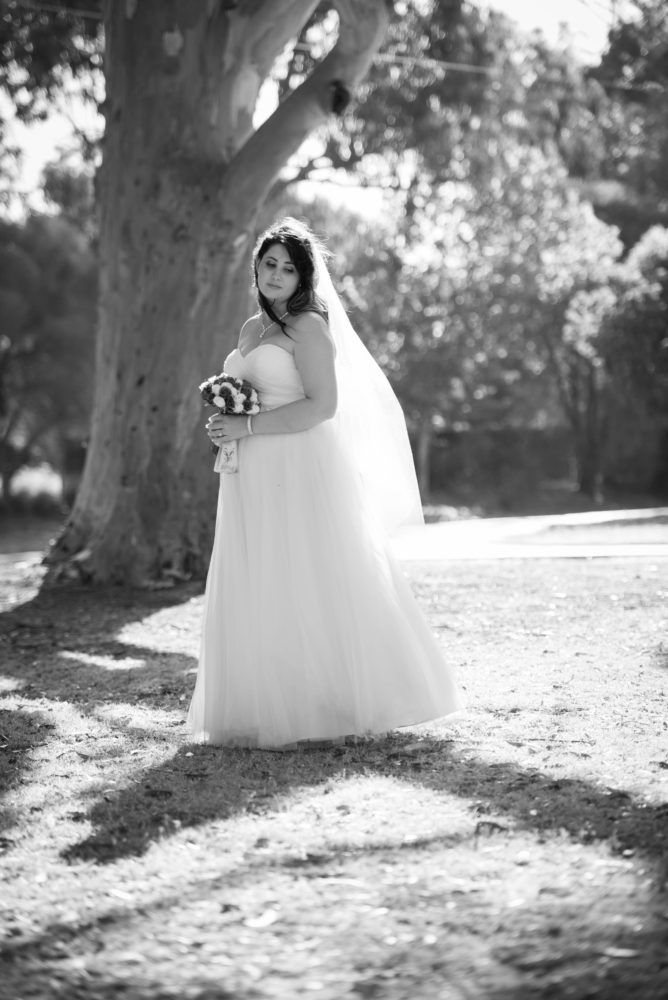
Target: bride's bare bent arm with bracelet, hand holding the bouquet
(314, 359)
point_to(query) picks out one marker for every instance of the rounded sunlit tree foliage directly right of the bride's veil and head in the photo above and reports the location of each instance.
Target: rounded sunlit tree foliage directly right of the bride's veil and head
(473, 304)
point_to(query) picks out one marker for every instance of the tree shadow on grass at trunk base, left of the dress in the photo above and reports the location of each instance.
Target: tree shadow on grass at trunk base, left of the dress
(61, 645)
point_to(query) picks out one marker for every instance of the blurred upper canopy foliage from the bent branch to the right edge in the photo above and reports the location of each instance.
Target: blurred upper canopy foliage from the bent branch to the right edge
(606, 124)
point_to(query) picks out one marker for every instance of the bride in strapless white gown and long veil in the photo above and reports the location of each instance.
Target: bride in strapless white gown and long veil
(311, 632)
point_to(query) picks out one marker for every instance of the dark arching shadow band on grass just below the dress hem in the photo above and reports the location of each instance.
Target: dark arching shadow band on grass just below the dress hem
(201, 782)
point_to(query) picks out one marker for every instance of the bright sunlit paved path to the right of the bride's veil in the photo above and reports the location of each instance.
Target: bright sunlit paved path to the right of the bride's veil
(592, 535)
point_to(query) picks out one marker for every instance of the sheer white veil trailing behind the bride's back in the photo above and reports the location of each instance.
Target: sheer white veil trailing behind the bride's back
(370, 419)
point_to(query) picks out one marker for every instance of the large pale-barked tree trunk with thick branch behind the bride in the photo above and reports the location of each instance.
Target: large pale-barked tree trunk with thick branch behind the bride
(182, 182)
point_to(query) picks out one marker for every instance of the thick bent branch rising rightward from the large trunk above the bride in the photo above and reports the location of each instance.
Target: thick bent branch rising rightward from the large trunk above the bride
(251, 172)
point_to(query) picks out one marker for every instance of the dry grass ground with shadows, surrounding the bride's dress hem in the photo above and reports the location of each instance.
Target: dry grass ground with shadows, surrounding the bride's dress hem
(517, 851)
